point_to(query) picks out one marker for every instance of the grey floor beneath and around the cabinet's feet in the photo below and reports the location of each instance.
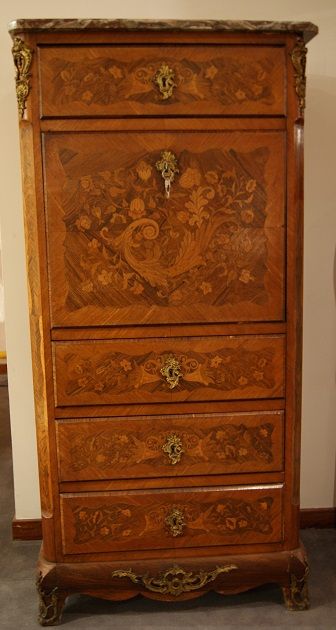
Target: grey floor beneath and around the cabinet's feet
(260, 608)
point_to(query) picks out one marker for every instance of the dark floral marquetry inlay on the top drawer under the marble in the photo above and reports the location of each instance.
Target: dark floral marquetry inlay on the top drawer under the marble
(106, 80)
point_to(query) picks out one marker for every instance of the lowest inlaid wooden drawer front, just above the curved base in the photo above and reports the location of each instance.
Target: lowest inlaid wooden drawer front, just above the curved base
(161, 520)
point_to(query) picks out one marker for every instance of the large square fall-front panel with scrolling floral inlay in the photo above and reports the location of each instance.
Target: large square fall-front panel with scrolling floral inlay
(120, 252)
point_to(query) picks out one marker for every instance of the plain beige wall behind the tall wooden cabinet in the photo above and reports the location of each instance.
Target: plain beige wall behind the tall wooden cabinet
(319, 394)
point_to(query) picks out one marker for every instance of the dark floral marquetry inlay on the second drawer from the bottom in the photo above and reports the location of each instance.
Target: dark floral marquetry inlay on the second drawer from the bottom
(226, 443)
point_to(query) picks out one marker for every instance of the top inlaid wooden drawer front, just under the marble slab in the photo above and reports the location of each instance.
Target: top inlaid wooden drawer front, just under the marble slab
(165, 80)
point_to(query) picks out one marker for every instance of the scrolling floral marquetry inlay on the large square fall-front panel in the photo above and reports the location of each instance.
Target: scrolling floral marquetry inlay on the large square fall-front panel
(127, 245)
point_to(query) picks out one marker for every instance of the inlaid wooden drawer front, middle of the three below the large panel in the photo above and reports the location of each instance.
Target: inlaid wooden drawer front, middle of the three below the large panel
(170, 446)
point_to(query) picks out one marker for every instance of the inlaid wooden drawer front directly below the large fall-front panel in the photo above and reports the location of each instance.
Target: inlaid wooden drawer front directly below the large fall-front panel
(169, 370)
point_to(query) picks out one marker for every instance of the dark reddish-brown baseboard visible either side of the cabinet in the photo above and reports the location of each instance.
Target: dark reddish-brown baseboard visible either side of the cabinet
(31, 529)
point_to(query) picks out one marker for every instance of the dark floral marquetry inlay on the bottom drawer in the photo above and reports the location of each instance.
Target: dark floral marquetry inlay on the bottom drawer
(136, 520)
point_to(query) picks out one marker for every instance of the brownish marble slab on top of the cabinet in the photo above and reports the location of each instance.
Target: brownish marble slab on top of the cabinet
(306, 29)
